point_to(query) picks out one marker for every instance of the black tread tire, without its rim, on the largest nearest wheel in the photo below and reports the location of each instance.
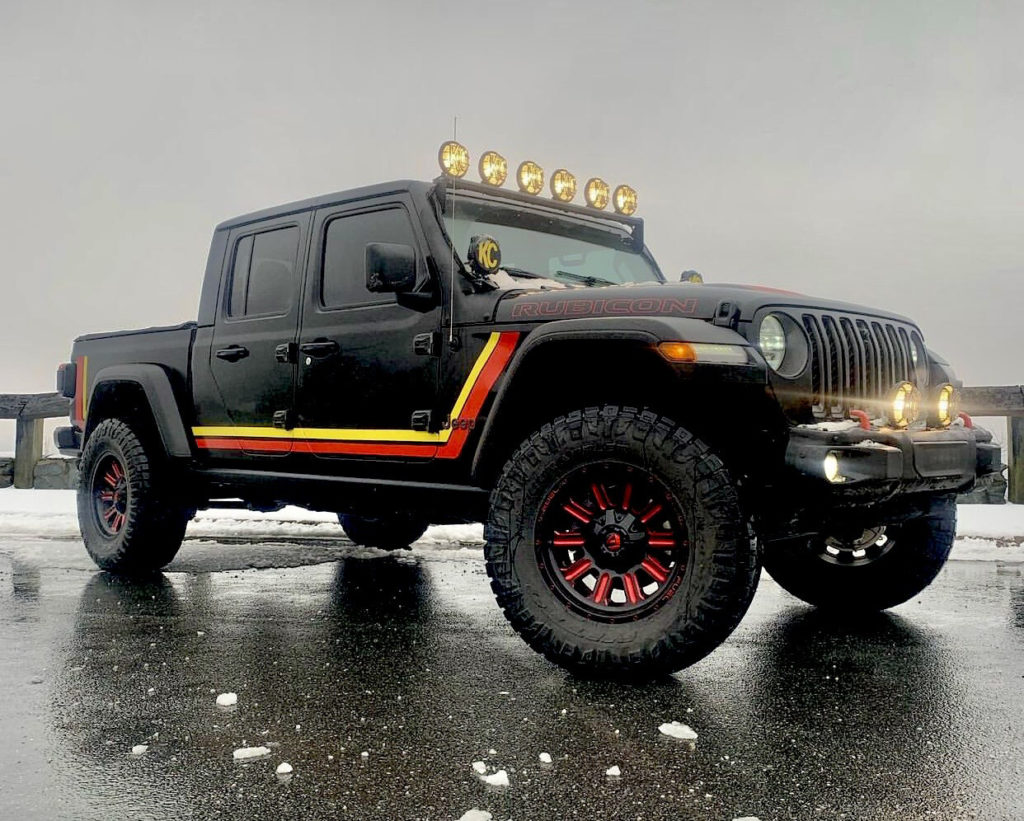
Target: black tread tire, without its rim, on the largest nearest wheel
(718, 581)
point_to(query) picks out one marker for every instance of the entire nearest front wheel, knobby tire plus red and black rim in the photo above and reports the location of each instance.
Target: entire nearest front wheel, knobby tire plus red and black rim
(617, 545)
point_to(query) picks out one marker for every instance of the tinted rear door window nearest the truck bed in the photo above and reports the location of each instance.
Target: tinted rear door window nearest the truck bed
(264, 277)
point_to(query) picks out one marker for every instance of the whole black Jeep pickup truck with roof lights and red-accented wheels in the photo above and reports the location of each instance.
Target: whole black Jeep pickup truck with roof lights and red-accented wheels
(414, 354)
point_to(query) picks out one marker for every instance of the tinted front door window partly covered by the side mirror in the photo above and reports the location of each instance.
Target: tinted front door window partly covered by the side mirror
(344, 280)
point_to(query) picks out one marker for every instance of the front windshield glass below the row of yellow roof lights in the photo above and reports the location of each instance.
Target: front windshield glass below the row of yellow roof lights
(535, 245)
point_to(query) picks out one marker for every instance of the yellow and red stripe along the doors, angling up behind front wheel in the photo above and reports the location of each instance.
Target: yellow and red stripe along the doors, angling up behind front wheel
(447, 444)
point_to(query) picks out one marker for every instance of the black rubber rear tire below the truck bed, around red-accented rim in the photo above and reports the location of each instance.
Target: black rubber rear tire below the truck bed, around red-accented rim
(155, 516)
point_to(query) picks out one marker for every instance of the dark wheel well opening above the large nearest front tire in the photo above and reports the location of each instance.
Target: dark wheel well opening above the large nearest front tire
(740, 421)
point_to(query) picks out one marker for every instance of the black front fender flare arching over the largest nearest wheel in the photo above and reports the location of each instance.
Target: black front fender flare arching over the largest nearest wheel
(644, 330)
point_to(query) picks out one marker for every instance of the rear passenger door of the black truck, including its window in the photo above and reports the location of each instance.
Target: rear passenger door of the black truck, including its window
(252, 357)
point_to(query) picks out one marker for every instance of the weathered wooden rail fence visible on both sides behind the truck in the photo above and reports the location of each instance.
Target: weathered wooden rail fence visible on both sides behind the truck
(29, 411)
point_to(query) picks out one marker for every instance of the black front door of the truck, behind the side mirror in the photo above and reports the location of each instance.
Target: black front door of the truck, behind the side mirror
(368, 362)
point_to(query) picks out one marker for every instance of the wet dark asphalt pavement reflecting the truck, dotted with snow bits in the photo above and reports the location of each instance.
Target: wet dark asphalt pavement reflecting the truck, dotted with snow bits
(917, 714)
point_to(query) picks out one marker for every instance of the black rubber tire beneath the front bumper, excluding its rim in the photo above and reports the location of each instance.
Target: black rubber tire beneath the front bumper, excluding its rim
(921, 547)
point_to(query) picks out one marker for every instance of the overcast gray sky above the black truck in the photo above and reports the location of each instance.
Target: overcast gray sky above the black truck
(870, 152)
